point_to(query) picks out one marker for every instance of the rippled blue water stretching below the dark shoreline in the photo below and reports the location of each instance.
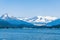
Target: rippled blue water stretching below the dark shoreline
(30, 34)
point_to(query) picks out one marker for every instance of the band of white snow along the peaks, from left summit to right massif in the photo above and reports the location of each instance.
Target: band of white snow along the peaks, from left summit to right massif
(44, 19)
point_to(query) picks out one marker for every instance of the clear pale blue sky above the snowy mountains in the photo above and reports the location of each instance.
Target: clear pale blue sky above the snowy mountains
(30, 8)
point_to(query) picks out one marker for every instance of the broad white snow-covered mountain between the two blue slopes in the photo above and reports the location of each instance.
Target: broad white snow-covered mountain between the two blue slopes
(41, 20)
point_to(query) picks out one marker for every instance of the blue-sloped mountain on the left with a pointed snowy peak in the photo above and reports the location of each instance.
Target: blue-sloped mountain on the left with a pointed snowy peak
(15, 21)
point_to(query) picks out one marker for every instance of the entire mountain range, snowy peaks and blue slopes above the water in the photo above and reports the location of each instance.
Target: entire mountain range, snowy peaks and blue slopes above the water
(11, 21)
